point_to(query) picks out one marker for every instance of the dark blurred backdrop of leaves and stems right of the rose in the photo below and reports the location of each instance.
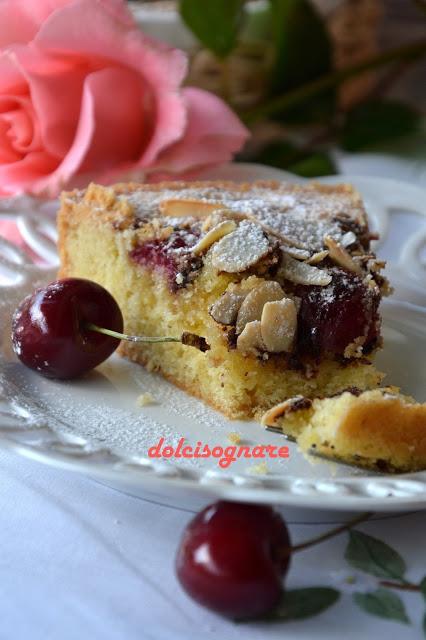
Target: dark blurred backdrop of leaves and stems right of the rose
(261, 56)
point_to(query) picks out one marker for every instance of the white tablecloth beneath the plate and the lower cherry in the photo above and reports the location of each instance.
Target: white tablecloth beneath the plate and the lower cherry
(79, 560)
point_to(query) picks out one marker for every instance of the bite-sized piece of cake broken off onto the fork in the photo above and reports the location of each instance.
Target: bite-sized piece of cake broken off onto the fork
(379, 429)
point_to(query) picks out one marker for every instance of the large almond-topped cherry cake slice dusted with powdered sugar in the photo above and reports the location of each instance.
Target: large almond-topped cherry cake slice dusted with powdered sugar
(279, 279)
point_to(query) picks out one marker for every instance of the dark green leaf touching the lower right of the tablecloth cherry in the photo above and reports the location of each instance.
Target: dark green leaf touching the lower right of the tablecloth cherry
(296, 604)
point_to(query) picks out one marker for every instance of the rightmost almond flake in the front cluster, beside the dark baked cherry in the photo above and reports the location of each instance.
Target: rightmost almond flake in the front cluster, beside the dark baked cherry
(278, 325)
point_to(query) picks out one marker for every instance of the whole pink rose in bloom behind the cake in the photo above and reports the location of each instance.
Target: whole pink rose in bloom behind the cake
(85, 95)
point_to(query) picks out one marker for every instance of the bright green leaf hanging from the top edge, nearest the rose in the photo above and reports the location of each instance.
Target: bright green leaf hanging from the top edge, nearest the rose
(214, 22)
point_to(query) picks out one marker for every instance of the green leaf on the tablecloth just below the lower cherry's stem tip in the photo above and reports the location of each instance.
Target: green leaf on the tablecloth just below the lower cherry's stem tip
(373, 556)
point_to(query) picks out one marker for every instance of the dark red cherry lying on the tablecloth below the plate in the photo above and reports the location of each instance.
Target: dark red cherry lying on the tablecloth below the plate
(233, 557)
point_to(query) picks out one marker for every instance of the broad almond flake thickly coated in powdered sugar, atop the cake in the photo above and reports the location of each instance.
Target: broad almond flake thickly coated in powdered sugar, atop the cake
(241, 249)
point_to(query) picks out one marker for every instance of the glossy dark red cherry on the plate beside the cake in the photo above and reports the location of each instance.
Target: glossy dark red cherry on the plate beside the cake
(48, 328)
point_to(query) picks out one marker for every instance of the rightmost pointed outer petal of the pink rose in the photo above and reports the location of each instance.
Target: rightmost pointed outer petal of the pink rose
(213, 135)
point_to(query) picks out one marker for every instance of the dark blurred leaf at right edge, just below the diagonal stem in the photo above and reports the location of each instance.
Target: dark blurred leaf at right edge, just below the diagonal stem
(378, 121)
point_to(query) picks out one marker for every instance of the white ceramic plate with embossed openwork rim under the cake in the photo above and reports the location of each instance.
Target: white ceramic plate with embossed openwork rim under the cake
(94, 426)
